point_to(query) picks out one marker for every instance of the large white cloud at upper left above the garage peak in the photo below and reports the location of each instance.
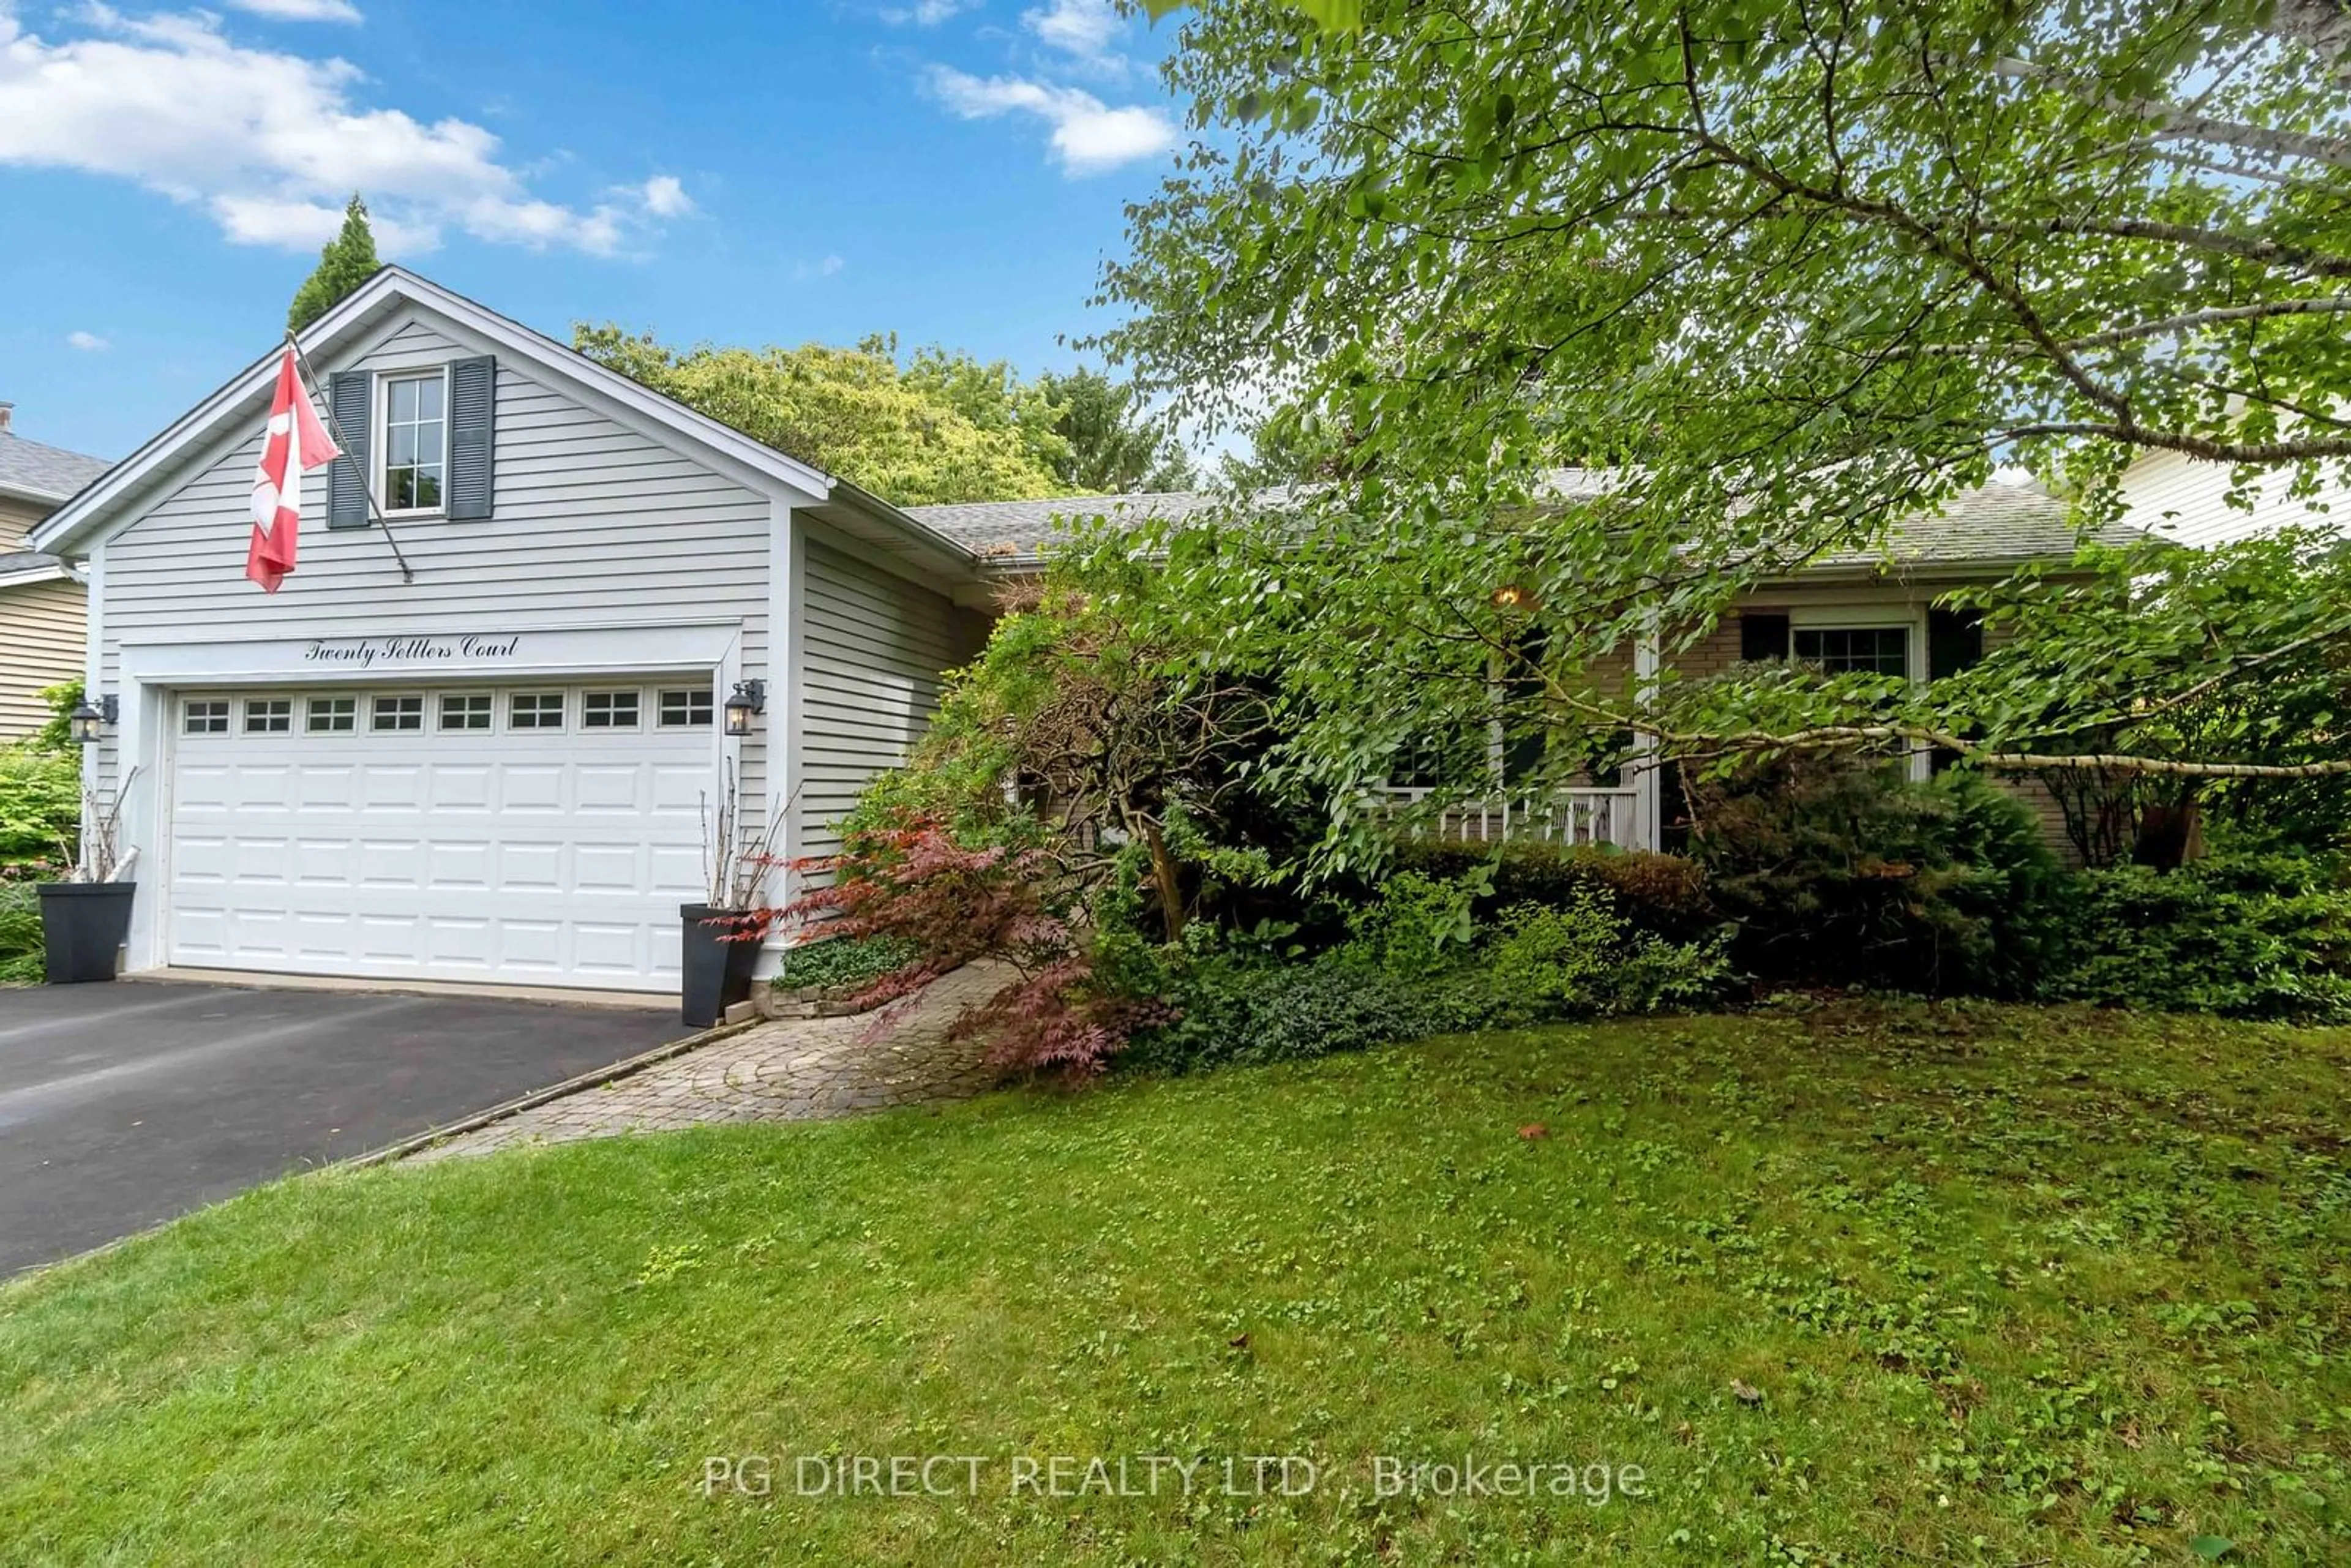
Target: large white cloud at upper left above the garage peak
(272, 145)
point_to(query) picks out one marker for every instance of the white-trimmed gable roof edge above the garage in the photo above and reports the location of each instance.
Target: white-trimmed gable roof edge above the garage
(116, 500)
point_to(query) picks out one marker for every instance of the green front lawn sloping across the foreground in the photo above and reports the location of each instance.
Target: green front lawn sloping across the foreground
(1866, 1285)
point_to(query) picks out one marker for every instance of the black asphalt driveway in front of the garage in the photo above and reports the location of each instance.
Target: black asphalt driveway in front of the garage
(130, 1104)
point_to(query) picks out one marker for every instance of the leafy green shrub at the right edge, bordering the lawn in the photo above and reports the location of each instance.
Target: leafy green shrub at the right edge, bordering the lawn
(2251, 937)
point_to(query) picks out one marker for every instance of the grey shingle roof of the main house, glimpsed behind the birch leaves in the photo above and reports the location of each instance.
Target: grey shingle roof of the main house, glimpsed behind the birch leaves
(1992, 523)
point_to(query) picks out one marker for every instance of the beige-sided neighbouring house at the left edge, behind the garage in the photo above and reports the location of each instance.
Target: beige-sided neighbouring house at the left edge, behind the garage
(41, 603)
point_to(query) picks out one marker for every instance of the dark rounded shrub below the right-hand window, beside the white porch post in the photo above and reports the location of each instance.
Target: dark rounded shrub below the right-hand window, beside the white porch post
(1840, 871)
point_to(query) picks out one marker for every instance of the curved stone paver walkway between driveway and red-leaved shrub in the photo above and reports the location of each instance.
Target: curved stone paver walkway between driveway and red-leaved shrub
(786, 1071)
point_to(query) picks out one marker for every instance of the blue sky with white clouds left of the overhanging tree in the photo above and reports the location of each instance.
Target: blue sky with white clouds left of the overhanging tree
(951, 170)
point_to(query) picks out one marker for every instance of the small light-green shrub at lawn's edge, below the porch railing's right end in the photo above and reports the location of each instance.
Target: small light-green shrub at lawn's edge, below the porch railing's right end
(1583, 960)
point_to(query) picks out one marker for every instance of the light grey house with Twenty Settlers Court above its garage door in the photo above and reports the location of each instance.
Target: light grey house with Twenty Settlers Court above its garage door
(504, 768)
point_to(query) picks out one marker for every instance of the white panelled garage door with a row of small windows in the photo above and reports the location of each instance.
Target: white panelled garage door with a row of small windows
(530, 836)
